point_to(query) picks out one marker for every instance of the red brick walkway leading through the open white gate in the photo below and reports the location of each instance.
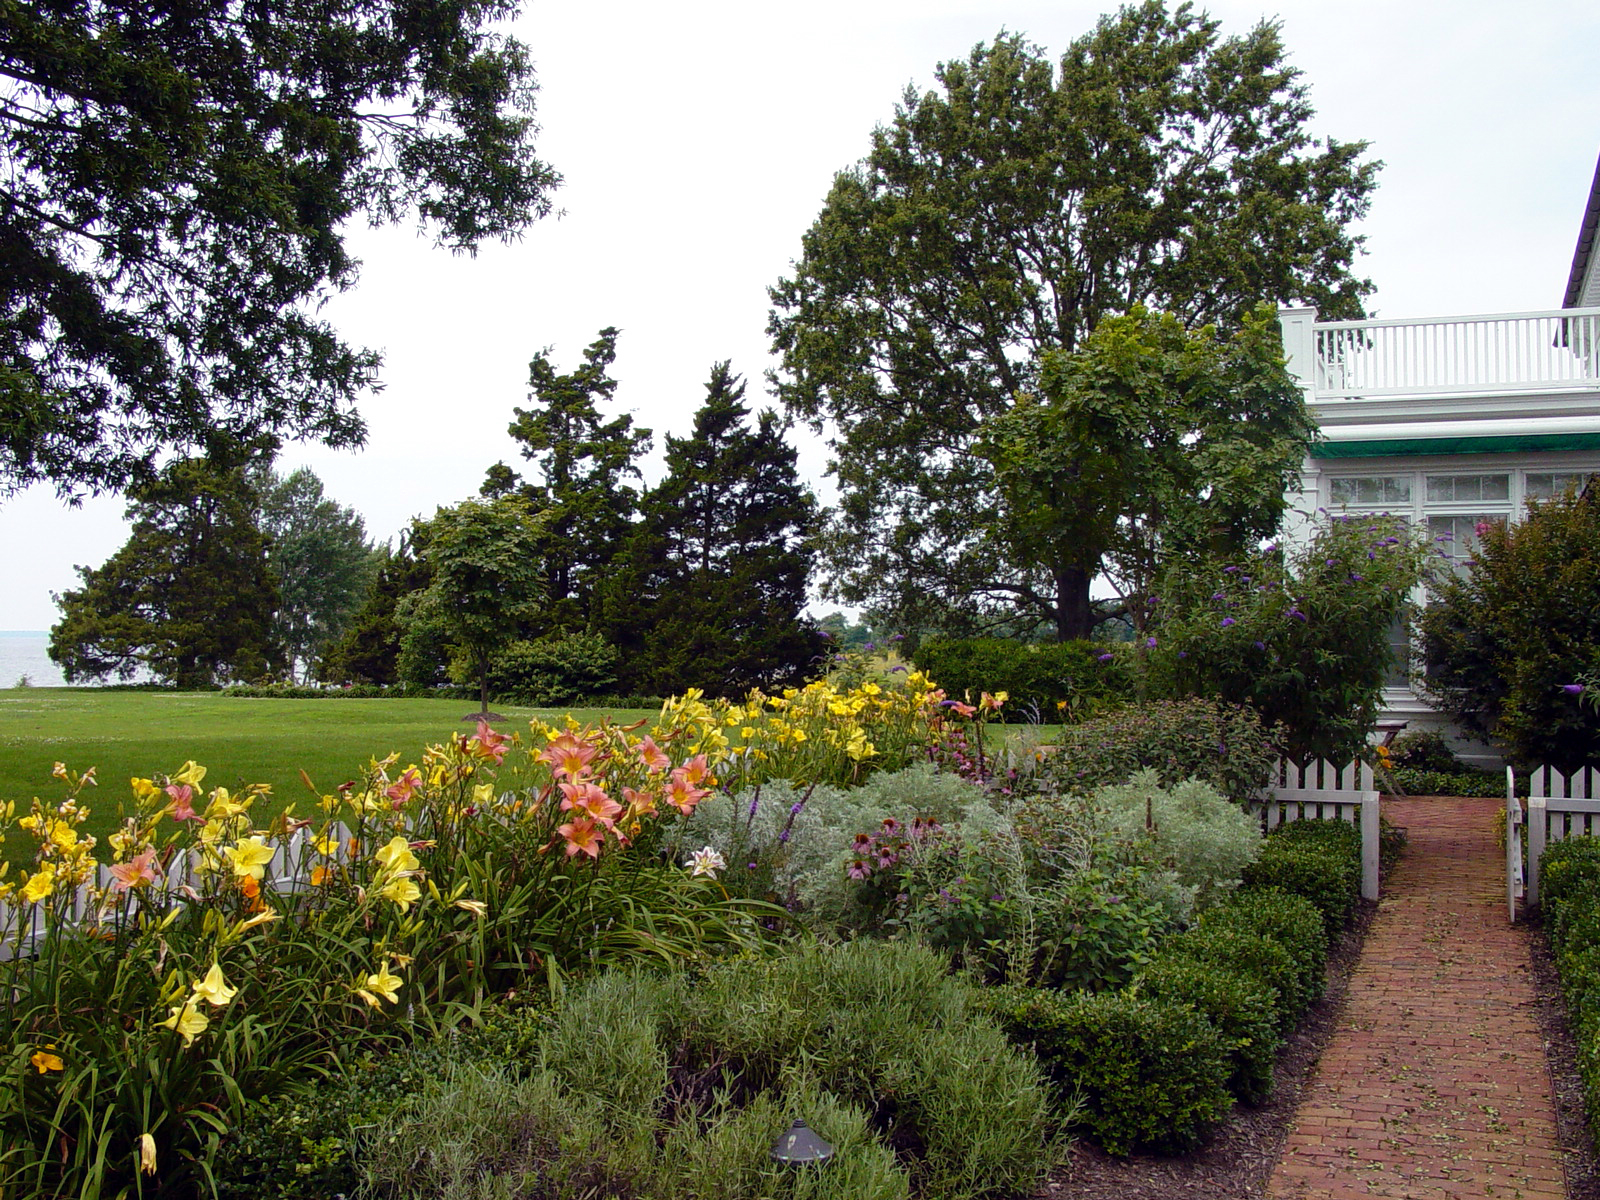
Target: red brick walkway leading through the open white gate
(1434, 1086)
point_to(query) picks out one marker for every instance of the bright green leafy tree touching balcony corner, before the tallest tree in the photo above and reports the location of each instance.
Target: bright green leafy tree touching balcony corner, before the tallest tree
(1148, 442)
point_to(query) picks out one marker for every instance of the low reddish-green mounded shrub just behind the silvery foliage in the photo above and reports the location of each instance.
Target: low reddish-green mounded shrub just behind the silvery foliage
(1220, 745)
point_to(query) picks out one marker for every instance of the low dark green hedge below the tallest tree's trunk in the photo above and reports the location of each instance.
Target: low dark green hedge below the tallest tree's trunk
(1052, 681)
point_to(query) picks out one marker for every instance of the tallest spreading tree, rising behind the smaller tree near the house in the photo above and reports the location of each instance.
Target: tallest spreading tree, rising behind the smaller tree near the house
(1006, 215)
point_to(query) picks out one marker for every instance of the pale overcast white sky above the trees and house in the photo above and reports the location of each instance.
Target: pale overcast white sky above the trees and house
(698, 142)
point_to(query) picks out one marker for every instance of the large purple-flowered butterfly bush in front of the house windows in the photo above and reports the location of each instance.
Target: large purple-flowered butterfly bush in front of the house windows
(1303, 638)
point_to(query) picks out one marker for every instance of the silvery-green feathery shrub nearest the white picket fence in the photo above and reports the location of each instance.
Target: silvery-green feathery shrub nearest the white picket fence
(1207, 839)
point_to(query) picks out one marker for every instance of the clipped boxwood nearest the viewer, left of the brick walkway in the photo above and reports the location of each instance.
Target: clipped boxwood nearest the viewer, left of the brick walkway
(1151, 1074)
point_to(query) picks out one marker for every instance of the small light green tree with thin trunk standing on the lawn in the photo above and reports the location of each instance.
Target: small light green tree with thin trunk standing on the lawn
(486, 583)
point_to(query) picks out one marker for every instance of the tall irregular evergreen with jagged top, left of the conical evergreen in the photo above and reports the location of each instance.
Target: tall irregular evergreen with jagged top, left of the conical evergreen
(582, 463)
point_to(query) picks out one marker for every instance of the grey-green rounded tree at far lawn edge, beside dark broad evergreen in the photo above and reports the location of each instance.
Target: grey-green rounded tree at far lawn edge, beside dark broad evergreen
(322, 562)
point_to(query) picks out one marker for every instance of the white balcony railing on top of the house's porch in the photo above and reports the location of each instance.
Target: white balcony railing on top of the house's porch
(1521, 353)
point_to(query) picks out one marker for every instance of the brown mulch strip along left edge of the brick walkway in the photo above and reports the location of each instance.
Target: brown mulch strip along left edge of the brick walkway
(1239, 1156)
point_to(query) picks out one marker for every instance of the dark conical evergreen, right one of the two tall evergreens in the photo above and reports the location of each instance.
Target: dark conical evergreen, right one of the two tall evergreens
(711, 590)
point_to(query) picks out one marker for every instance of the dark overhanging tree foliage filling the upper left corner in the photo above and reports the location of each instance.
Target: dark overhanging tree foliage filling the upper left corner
(177, 188)
